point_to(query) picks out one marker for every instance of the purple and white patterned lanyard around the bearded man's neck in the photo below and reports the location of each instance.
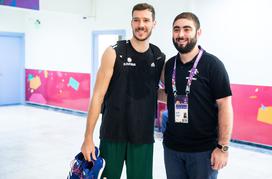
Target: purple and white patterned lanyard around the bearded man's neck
(192, 73)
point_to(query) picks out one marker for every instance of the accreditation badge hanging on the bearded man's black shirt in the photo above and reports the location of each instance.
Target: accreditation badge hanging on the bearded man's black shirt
(181, 109)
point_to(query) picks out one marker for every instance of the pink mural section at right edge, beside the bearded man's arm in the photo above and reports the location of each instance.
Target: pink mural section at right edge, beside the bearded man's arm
(252, 107)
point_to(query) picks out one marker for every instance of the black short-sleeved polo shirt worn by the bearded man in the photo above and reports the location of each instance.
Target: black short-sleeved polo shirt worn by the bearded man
(210, 83)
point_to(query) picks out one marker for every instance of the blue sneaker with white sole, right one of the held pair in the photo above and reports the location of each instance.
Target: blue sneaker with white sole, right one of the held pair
(94, 170)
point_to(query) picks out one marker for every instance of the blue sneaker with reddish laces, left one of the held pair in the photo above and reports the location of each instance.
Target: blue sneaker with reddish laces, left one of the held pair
(79, 163)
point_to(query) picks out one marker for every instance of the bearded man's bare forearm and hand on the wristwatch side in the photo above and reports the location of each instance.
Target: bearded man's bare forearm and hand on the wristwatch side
(219, 158)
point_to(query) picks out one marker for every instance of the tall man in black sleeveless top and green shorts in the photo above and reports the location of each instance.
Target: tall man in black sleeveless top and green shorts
(126, 93)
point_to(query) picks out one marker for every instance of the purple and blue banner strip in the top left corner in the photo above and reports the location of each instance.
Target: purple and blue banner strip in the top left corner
(28, 4)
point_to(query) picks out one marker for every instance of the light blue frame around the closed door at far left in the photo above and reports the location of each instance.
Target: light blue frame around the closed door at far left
(21, 36)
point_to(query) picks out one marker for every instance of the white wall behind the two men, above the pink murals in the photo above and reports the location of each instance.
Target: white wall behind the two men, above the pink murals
(238, 32)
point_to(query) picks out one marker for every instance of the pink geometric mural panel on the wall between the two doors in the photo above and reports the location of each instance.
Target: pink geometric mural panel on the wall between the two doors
(61, 89)
